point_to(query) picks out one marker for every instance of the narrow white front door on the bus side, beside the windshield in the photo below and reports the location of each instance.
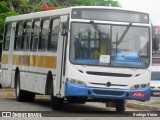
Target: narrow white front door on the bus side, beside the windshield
(61, 55)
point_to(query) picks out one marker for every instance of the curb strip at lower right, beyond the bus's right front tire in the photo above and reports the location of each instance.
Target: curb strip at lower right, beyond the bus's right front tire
(142, 106)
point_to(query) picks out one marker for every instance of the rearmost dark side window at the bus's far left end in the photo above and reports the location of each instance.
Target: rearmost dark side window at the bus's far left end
(7, 36)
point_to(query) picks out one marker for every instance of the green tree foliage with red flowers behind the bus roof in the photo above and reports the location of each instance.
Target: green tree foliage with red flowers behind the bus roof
(14, 7)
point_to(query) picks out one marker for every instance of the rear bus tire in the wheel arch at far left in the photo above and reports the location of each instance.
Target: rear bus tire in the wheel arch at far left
(20, 94)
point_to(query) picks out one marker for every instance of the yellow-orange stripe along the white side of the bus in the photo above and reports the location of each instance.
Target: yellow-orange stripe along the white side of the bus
(32, 60)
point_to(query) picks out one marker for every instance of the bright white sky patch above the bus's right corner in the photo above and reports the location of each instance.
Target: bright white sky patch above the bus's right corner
(150, 6)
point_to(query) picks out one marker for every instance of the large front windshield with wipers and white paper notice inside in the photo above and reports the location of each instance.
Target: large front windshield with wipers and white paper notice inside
(109, 45)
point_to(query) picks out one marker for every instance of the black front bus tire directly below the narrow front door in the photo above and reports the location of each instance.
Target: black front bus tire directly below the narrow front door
(56, 103)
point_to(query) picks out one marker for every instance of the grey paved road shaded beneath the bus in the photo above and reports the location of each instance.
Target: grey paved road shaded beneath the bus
(43, 104)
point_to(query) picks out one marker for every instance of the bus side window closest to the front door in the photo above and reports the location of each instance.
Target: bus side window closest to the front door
(53, 41)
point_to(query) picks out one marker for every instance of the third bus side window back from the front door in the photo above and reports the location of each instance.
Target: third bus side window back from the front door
(35, 35)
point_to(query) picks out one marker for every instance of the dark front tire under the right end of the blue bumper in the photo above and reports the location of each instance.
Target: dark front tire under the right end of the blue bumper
(120, 105)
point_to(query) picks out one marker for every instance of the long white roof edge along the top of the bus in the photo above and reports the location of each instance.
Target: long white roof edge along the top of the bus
(57, 12)
